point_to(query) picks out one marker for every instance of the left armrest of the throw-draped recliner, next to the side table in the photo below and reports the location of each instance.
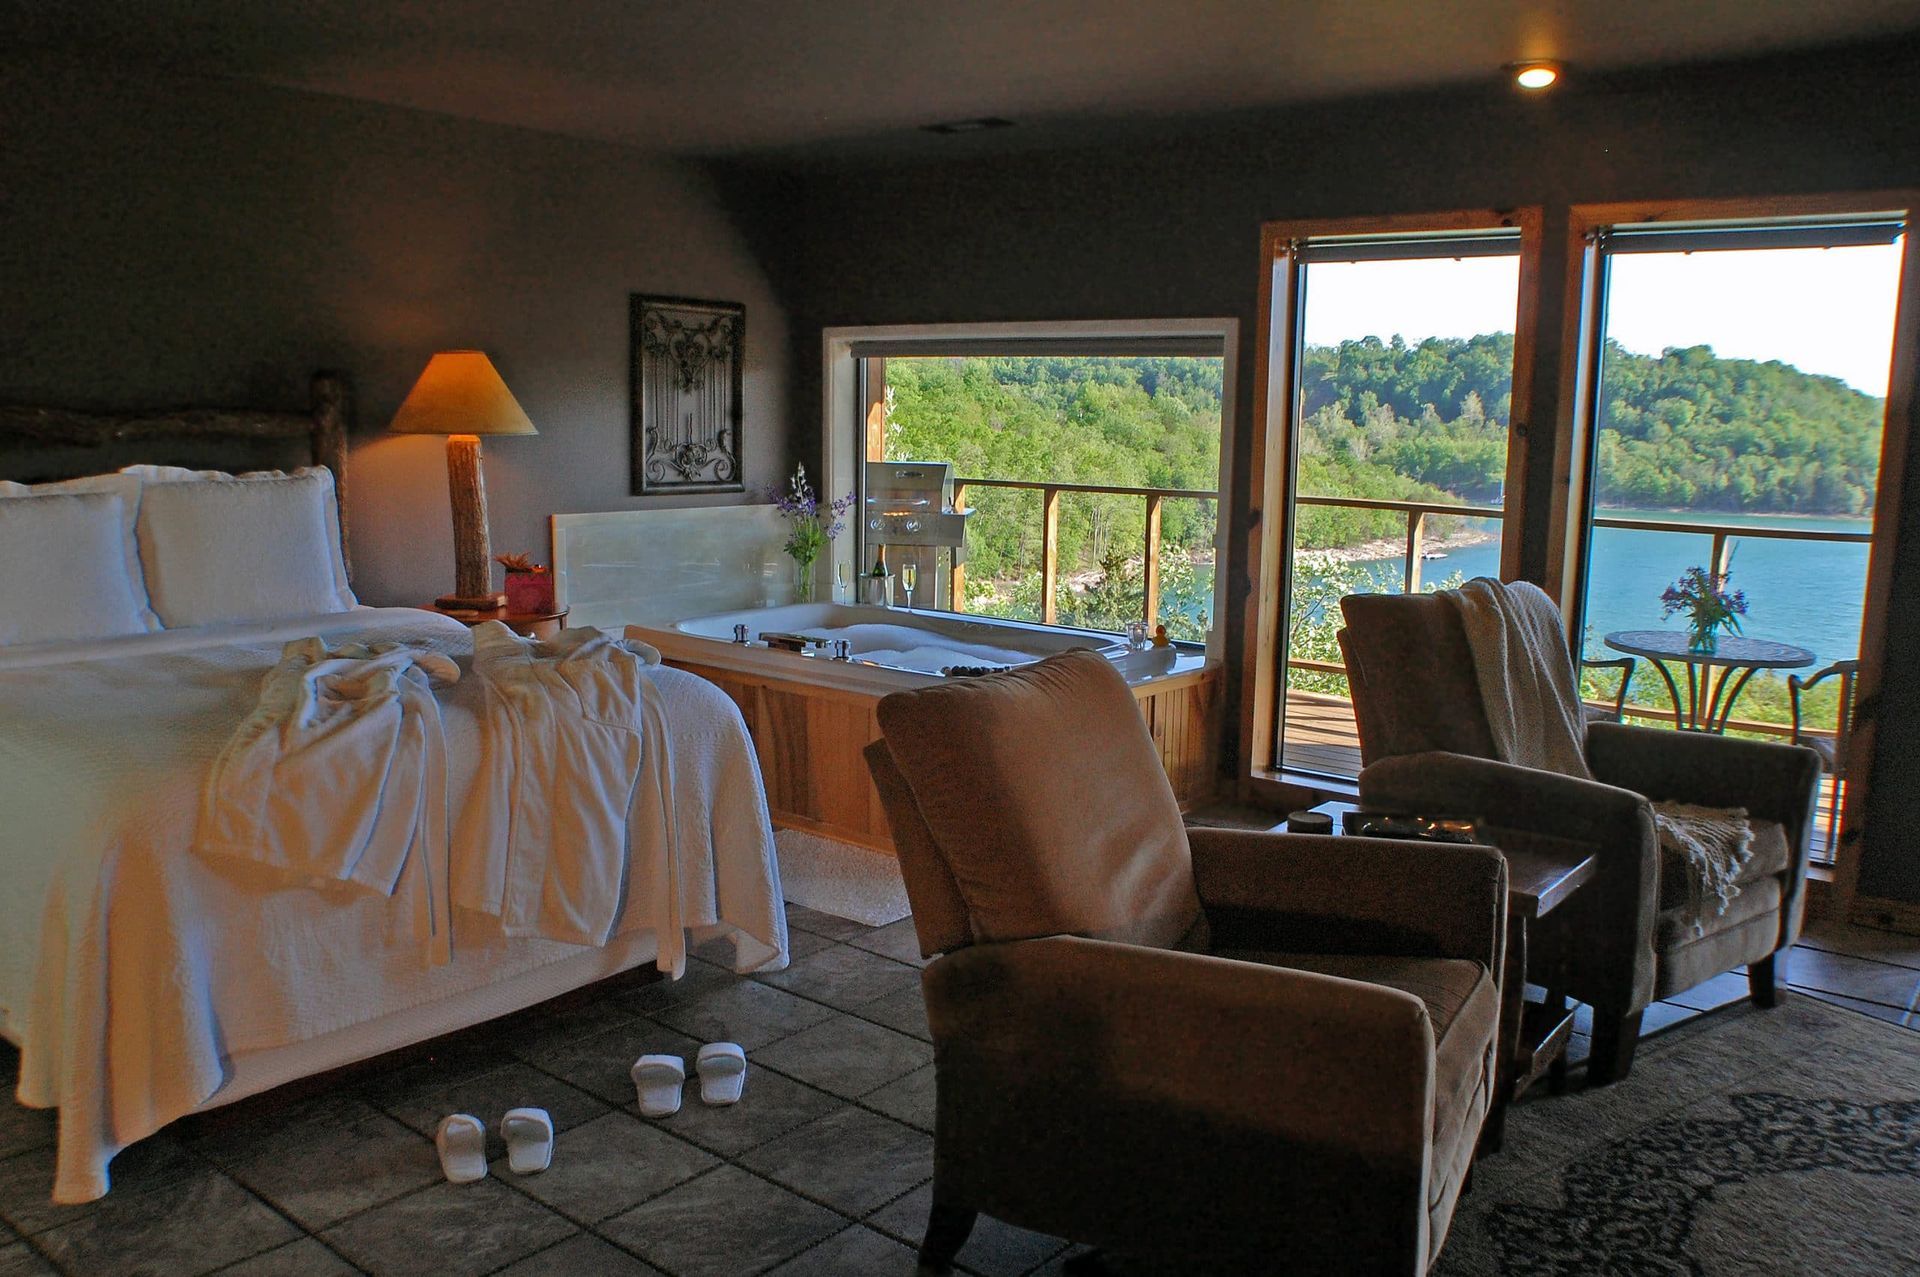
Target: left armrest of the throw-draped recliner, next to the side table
(1510, 798)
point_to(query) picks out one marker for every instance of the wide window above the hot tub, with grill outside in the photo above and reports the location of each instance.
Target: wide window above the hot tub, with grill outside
(1090, 466)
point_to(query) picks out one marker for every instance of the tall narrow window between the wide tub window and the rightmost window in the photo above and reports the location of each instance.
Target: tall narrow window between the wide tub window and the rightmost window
(1389, 454)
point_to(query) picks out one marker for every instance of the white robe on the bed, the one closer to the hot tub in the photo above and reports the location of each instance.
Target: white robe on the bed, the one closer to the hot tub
(571, 733)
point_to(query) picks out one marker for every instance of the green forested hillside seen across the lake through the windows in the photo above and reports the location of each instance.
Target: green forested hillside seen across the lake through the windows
(1383, 420)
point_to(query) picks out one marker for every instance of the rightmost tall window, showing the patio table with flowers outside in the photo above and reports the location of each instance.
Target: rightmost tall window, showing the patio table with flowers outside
(1737, 425)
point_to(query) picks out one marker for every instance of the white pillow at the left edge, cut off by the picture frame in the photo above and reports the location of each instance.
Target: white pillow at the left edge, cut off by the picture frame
(64, 567)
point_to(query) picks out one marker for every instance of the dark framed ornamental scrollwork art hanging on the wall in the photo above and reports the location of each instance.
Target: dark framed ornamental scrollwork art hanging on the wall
(686, 372)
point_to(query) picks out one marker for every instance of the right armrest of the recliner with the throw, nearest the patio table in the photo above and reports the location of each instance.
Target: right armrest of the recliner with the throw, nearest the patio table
(1773, 783)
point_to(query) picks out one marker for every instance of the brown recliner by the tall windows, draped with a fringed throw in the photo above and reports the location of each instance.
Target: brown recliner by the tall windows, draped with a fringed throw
(1625, 940)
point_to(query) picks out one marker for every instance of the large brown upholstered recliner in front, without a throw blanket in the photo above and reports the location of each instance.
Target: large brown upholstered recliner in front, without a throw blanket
(1236, 1051)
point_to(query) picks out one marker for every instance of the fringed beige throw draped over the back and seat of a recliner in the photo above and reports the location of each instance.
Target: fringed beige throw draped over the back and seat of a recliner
(1533, 710)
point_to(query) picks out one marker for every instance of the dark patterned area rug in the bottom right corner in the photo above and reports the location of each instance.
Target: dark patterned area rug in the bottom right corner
(1744, 1142)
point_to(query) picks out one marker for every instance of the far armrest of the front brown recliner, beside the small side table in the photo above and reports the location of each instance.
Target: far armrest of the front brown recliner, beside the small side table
(1314, 894)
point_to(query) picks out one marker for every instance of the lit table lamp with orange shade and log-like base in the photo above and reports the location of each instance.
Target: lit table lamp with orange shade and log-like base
(462, 397)
